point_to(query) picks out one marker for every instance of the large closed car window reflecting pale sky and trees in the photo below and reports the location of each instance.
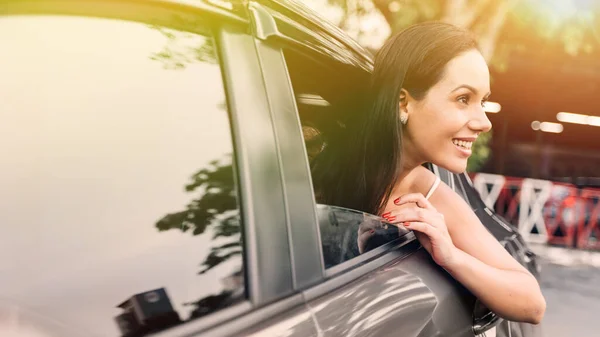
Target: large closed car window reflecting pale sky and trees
(119, 211)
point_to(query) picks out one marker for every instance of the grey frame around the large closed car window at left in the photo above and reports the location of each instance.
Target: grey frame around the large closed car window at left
(246, 101)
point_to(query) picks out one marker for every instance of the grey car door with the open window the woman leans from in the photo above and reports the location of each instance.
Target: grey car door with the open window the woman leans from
(358, 275)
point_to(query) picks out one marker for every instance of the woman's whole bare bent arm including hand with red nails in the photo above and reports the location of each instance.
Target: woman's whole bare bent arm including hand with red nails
(458, 241)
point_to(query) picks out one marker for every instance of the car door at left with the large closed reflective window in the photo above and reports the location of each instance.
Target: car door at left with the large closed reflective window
(141, 186)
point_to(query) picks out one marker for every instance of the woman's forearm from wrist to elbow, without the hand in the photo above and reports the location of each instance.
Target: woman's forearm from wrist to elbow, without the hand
(512, 294)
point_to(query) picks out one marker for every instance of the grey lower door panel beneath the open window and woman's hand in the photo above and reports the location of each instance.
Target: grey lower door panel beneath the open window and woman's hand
(409, 296)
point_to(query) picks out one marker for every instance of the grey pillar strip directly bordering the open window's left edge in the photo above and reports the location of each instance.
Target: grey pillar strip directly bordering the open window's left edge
(305, 247)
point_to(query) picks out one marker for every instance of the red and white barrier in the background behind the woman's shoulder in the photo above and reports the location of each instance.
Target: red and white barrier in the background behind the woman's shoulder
(544, 211)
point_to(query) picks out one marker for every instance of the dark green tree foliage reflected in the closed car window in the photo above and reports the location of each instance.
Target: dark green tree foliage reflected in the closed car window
(215, 202)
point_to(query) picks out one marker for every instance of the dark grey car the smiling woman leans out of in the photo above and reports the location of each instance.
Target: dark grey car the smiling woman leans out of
(156, 180)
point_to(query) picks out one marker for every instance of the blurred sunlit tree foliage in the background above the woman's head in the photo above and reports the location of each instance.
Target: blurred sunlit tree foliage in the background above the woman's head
(496, 23)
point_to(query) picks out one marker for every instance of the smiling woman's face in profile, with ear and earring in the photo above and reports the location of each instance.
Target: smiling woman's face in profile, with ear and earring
(444, 124)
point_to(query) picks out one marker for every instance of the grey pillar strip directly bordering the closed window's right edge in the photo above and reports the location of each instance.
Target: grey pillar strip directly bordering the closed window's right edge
(269, 272)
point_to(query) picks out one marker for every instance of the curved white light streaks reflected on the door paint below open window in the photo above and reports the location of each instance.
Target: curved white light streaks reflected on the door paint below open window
(389, 299)
